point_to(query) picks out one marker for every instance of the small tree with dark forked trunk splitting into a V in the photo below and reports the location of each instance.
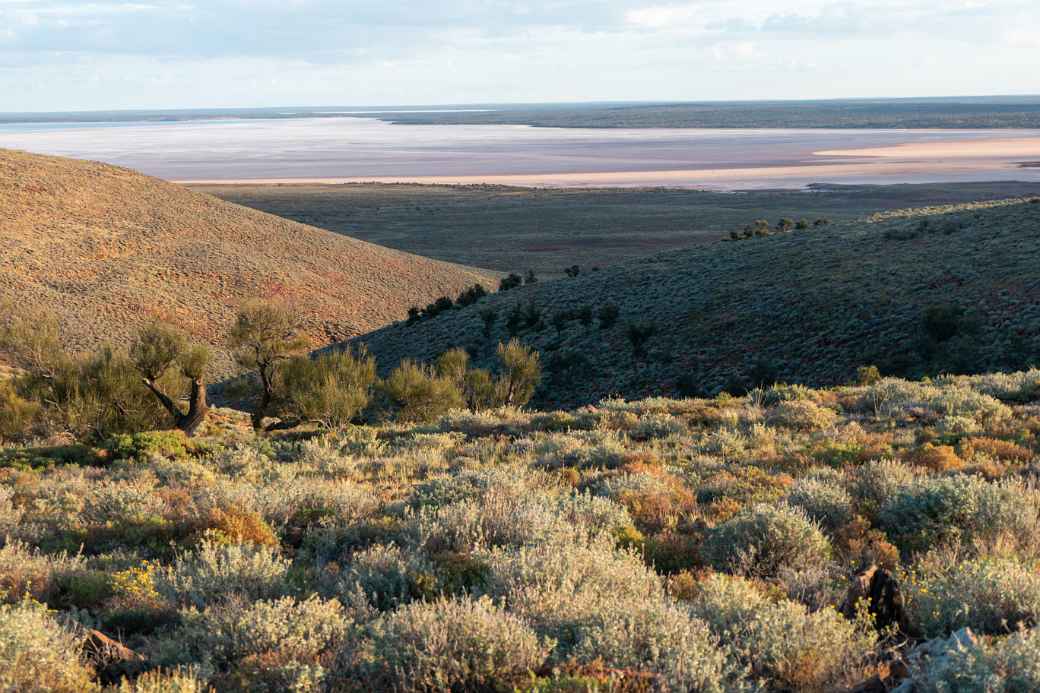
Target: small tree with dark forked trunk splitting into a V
(161, 350)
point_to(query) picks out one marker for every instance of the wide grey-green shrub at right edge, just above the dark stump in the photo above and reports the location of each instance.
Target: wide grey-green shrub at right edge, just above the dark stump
(960, 509)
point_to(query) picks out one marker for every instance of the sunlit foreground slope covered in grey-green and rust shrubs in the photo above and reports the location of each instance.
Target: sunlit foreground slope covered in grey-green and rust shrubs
(709, 546)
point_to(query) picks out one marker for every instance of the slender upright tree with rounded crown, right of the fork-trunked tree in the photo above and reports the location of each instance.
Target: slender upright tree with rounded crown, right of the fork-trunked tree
(265, 337)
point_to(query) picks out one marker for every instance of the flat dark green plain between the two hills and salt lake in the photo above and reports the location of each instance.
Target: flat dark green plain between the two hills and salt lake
(514, 229)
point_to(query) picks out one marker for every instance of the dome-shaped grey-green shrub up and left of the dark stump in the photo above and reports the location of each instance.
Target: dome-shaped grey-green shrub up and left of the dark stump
(764, 541)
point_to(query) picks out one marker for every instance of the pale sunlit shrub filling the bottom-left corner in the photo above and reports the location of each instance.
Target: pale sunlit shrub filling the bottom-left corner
(39, 654)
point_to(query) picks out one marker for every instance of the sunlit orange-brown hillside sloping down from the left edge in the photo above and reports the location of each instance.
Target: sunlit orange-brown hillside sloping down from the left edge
(107, 250)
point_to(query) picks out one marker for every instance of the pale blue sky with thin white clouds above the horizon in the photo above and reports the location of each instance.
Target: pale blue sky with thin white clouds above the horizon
(101, 55)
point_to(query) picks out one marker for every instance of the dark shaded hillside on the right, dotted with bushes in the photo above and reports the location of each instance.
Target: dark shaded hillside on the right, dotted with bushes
(947, 289)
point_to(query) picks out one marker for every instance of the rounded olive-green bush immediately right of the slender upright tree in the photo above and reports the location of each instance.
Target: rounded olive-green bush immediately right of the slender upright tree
(331, 390)
